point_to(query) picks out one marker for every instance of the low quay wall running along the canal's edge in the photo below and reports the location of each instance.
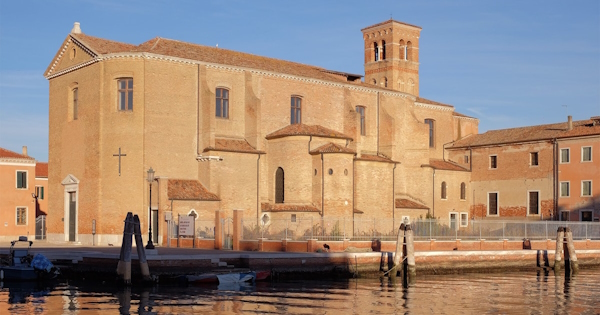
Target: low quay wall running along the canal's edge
(165, 262)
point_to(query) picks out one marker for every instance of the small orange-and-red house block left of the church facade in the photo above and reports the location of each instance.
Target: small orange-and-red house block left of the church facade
(21, 180)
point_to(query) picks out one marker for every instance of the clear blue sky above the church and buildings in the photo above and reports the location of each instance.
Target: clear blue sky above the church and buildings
(508, 63)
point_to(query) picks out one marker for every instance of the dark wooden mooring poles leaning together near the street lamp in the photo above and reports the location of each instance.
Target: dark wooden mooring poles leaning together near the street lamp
(132, 227)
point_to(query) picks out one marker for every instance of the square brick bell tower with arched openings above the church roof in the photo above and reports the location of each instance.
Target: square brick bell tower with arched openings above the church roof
(392, 56)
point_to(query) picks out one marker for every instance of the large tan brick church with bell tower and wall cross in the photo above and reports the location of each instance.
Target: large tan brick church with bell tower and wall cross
(228, 130)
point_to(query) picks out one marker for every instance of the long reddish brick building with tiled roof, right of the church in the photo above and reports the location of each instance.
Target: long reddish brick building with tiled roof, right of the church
(535, 172)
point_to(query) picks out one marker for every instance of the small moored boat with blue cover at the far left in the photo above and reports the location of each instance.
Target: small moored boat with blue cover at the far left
(25, 267)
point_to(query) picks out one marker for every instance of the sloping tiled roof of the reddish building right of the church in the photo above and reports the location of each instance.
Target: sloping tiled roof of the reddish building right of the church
(529, 133)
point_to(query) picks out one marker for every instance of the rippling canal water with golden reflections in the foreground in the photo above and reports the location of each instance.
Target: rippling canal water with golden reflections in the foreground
(535, 292)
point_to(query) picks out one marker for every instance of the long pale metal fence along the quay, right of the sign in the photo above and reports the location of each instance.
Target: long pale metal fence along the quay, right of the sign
(331, 229)
